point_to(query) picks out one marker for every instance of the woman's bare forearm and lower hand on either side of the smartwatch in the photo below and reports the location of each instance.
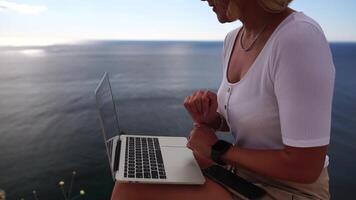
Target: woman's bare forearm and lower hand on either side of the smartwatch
(302, 165)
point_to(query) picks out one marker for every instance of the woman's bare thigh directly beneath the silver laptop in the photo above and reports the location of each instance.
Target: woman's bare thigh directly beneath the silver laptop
(132, 191)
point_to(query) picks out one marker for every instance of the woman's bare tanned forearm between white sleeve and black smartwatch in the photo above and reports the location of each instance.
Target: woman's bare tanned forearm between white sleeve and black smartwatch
(302, 165)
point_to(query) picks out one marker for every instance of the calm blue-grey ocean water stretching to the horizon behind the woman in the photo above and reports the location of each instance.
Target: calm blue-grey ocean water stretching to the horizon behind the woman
(48, 120)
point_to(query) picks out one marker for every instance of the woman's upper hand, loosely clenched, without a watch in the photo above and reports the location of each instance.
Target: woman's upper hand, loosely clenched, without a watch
(202, 106)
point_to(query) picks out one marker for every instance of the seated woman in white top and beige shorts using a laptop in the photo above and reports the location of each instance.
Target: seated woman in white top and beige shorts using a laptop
(275, 98)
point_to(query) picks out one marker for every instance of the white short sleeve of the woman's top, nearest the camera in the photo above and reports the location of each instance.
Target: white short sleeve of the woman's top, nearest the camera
(303, 75)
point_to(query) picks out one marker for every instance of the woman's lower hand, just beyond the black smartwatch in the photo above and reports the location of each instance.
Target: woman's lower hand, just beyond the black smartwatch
(201, 140)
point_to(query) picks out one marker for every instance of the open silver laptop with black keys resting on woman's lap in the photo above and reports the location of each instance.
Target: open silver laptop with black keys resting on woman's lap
(142, 158)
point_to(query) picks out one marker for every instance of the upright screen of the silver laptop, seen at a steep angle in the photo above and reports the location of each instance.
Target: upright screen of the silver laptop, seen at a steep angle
(107, 112)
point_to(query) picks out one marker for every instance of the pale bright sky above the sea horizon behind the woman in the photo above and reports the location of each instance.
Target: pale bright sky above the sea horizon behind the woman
(42, 22)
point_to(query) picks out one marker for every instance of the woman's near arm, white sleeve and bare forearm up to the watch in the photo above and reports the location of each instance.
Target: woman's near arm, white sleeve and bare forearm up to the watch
(303, 75)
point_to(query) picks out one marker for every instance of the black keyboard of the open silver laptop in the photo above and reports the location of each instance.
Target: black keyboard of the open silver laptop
(143, 159)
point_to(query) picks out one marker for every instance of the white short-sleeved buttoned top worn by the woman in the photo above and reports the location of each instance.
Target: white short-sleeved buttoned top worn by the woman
(285, 97)
